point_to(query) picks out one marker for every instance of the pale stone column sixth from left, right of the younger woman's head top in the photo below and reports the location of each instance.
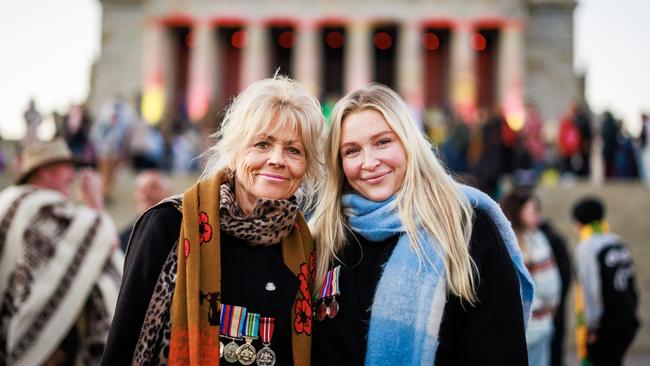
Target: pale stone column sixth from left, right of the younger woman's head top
(410, 68)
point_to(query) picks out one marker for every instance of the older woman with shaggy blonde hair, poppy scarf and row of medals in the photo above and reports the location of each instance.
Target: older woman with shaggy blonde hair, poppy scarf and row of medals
(224, 271)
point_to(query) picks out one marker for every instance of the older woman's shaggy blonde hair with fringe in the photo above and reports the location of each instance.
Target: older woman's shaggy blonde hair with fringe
(256, 110)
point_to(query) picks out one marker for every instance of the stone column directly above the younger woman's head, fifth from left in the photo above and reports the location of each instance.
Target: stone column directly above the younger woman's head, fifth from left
(358, 62)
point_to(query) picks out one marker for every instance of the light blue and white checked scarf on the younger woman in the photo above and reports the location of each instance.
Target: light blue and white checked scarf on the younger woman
(410, 299)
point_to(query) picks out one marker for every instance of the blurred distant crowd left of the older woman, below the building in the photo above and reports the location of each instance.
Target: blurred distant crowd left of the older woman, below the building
(119, 137)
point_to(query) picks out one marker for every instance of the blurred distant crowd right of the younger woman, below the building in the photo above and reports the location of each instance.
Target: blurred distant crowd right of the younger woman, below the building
(490, 149)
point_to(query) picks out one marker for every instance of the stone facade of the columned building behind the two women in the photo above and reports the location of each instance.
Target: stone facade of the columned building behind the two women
(534, 56)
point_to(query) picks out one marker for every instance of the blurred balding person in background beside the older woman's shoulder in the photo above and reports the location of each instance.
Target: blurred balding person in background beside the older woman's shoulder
(151, 187)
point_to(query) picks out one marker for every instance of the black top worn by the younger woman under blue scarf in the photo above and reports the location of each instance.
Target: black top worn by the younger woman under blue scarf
(490, 333)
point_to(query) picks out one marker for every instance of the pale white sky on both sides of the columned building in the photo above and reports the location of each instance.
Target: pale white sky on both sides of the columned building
(48, 48)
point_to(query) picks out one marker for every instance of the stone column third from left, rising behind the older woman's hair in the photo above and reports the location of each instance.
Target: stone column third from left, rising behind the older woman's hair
(256, 54)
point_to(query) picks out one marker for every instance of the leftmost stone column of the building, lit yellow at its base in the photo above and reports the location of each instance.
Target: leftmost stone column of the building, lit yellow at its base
(157, 72)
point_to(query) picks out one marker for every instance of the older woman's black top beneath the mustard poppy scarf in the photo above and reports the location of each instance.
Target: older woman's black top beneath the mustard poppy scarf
(251, 276)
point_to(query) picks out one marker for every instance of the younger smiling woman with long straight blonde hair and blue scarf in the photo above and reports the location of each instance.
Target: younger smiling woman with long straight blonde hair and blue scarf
(425, 270)
